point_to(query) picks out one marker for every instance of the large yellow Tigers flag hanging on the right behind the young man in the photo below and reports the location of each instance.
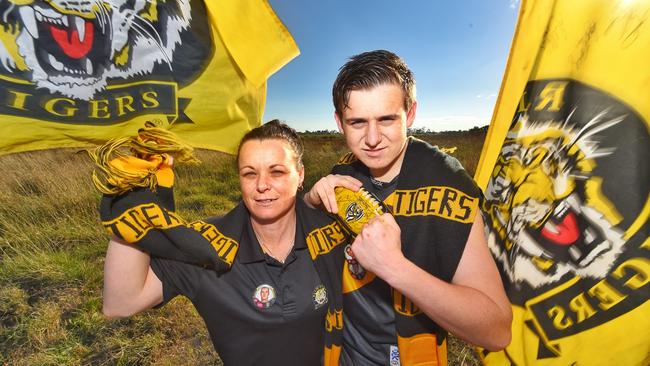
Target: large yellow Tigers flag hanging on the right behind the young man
(567, 184)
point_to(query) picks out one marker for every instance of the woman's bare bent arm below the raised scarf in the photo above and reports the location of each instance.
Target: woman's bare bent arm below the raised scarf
(130, 285)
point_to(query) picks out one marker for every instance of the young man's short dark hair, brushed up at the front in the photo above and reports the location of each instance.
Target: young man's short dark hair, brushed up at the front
(371, 69)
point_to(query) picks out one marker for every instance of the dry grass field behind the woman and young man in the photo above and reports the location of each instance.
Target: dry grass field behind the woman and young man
(52, 251)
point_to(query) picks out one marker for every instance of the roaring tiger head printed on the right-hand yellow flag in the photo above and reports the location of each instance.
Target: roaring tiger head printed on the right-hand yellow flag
(545, 205)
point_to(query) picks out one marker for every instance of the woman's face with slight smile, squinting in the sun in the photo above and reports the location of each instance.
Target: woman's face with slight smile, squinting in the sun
(269, 178)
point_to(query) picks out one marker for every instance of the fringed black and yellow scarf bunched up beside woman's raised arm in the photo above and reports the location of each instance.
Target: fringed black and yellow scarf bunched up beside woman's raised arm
(136, 179)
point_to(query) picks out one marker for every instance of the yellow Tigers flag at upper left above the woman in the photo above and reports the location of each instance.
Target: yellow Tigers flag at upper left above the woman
(77, 73)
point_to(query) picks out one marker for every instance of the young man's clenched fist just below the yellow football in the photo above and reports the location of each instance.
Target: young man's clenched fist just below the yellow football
(378, 247)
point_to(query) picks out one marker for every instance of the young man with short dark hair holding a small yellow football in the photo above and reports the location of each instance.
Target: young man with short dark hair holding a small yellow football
(427, 266)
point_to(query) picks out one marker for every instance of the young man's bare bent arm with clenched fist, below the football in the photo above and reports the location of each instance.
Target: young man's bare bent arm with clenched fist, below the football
(473, 307)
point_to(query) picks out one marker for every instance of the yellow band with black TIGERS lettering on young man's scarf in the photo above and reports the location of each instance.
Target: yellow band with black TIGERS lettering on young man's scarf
(441, 201)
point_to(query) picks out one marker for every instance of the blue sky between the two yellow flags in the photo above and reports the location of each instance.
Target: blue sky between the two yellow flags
(456, 49)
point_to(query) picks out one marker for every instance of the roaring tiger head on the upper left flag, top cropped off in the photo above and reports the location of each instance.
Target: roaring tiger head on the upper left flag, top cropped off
(74, 47)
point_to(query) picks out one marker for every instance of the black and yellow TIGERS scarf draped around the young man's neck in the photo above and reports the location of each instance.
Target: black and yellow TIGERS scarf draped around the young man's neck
(434, 203)
